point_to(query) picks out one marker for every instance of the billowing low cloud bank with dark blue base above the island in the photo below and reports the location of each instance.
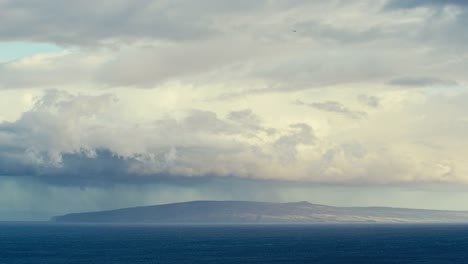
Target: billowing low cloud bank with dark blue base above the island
(86, 140)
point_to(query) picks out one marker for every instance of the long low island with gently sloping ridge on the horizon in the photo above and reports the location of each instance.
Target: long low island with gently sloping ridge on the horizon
(234, 212)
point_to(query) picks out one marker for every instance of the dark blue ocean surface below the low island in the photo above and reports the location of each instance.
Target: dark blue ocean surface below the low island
(22, 243)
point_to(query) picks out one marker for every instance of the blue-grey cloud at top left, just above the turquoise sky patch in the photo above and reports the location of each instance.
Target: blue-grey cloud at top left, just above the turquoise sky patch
(123, 21)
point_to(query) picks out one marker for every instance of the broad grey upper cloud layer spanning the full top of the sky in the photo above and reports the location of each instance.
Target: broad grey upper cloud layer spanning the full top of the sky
(221, 44)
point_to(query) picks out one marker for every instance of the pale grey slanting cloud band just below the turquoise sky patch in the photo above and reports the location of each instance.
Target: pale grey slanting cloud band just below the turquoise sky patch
(137, 66)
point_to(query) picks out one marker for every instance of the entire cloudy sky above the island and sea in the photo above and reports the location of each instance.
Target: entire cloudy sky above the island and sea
(110, 104)
